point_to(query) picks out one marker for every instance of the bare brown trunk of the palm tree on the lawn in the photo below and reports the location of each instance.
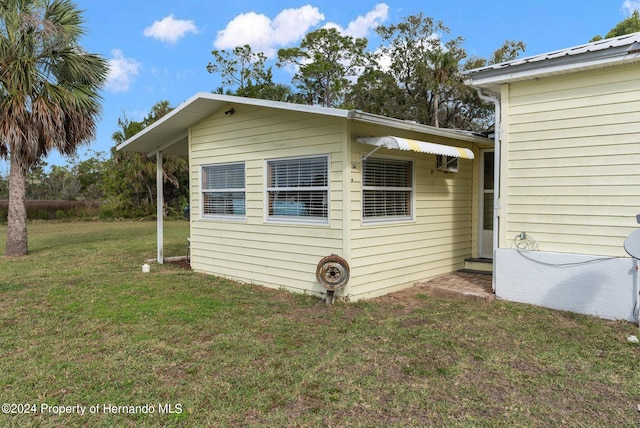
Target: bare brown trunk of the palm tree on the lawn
(17, 219)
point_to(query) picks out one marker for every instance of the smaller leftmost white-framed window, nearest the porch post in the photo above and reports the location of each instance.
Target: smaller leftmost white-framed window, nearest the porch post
(223, 190)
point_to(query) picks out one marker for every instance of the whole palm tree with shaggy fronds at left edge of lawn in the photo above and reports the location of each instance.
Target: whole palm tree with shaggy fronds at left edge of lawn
(48, 94)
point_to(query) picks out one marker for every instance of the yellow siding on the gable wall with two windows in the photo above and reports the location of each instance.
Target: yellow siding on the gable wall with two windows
(254, 250)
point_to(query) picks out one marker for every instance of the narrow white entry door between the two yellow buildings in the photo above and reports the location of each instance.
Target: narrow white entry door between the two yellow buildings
(486, 205)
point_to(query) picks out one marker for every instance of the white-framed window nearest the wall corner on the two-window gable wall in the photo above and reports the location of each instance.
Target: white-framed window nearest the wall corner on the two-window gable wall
(298, 189)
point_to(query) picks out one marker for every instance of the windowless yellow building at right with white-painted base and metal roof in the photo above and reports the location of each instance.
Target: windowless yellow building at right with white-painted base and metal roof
(568, 176)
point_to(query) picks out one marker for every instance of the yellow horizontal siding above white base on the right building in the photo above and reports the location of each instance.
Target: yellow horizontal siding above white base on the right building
(572, 152)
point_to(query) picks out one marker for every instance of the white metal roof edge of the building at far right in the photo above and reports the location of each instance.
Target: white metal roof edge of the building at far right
(603, 53)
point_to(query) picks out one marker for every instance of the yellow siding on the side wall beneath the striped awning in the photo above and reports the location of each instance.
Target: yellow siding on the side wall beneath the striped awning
(389, 256)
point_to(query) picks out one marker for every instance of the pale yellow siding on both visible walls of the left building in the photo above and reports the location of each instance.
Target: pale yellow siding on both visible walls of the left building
(383, 257)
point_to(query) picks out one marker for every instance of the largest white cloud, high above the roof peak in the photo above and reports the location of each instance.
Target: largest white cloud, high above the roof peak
(266, 35)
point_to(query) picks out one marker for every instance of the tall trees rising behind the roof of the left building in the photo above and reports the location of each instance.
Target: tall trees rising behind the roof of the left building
(415, 74)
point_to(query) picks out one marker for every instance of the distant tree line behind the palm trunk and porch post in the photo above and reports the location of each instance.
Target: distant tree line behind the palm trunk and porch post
(123, 182)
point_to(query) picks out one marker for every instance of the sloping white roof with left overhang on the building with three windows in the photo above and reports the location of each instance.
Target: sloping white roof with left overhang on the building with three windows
(170, 134)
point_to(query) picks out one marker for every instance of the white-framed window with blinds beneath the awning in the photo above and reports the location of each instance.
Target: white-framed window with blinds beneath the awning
(387, 189)
